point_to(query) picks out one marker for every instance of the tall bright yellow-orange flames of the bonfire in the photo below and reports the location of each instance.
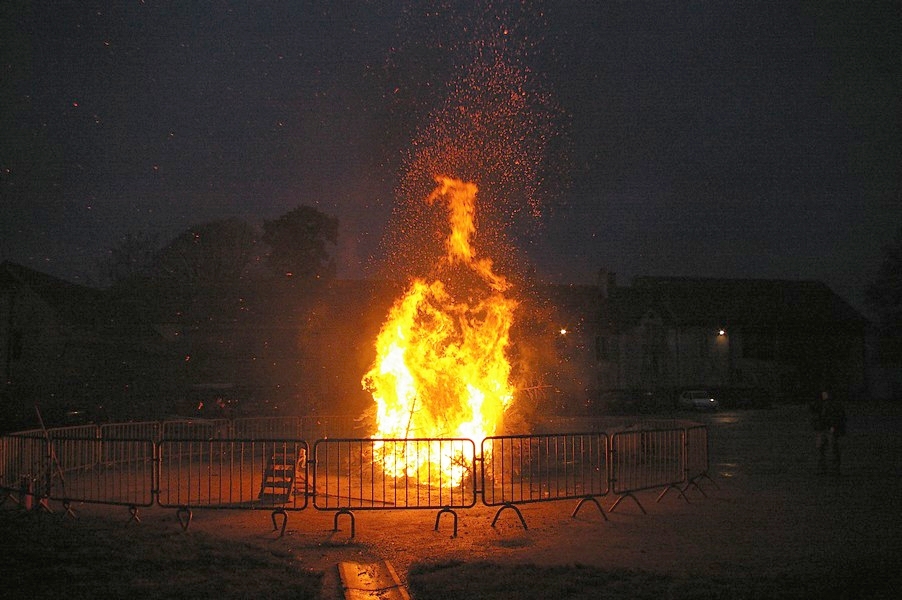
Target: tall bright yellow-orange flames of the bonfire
(441, 369)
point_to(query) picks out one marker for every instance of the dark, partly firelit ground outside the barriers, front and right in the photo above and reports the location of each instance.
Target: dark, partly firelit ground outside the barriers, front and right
(770, 529)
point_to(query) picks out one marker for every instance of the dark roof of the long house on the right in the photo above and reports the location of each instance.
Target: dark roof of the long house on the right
(755, 303)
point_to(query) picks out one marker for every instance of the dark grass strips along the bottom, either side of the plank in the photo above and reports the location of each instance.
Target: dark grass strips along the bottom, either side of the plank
(49, 556)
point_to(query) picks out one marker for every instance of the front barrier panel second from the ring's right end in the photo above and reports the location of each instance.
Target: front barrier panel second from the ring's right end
(643, 460)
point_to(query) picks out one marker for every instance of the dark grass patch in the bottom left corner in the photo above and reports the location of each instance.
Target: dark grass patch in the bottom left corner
(51, 556)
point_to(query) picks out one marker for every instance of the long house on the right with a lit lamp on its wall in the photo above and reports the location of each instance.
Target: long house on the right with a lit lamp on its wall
(783, 339)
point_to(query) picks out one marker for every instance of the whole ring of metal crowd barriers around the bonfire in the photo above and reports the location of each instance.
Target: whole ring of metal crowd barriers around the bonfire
(200, 464)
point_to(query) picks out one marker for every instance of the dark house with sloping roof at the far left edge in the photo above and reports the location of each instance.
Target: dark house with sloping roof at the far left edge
(69, 349)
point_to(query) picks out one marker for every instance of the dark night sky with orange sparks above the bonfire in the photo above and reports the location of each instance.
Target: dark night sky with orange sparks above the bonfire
(661, 138)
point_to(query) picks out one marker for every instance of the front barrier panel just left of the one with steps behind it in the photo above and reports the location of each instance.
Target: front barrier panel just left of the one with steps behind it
(122, 475)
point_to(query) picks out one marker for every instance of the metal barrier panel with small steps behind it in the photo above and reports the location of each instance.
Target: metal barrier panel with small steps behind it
(248, 474)
